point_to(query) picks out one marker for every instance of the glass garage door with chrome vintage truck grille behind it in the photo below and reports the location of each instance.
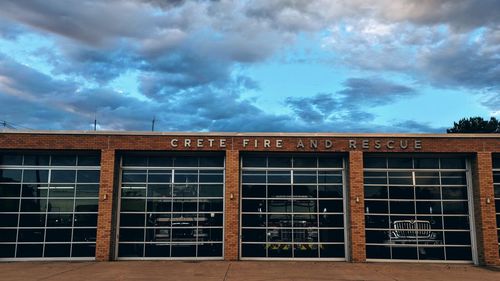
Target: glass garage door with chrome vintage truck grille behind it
(417, 209)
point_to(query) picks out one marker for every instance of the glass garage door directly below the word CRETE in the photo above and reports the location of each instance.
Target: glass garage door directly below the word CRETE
(171, 207)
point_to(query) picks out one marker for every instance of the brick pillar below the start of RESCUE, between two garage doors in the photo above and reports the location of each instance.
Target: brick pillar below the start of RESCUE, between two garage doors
(356, 213)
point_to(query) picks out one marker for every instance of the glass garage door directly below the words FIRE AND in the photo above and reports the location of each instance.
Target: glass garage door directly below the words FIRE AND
(292, 207)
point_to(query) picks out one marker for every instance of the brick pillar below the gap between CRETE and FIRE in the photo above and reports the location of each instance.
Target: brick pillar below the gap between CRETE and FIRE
(232, 199)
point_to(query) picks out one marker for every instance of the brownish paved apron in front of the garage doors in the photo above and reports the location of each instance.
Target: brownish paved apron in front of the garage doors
(242, 270)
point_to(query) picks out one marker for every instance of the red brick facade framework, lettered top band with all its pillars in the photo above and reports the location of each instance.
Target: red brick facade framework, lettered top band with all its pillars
(109, 144)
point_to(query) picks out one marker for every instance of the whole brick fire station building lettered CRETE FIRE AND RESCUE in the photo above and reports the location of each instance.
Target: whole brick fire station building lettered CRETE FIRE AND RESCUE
(249, 196)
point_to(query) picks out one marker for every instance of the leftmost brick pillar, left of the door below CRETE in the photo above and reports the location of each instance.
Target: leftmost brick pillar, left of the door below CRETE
(105, 217)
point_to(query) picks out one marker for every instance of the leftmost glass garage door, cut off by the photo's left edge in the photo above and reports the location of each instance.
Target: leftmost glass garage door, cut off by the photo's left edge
(48, 206)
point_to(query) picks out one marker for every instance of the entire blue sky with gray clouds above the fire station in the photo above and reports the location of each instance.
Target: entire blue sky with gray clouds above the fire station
(316, 65)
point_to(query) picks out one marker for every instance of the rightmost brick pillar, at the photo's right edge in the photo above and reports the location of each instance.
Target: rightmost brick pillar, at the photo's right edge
(484, 212)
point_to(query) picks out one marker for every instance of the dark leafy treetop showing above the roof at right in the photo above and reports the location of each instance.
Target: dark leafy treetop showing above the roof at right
(475, 125)
